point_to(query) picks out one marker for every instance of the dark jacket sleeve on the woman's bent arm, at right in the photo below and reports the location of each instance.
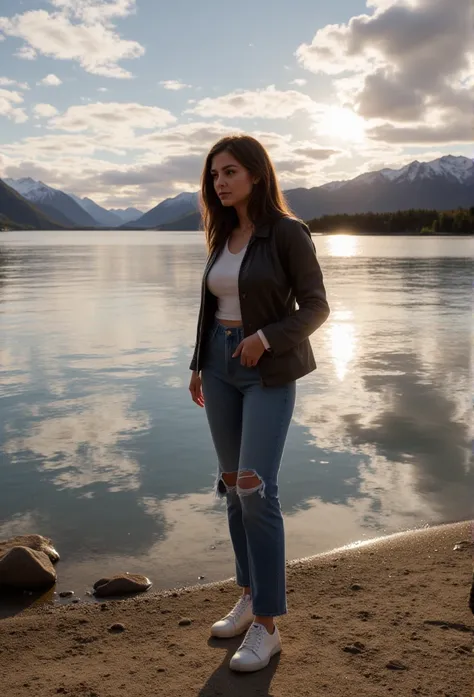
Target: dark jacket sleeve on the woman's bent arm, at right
(298, 255)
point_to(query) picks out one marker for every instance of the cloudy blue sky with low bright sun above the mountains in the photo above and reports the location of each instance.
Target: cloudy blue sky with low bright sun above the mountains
(120, 100)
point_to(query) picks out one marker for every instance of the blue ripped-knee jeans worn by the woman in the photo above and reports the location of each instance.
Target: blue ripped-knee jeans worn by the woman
(249, 424)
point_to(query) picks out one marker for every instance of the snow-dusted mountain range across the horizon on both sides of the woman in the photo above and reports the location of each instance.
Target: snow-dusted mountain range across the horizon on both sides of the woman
(443, 184)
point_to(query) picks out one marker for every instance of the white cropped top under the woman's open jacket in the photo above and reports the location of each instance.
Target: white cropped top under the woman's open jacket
(222, 281)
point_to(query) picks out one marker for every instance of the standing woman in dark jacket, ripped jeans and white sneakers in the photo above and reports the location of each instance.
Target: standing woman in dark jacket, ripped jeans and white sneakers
(252, 345)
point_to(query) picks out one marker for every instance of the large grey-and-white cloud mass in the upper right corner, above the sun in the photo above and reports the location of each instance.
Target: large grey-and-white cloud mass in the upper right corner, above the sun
(403, 68)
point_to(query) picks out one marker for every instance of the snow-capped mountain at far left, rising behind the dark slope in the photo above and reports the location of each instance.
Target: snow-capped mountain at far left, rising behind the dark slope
(53, 202)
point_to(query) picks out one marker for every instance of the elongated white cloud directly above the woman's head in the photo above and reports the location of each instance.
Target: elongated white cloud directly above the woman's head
(268, 103)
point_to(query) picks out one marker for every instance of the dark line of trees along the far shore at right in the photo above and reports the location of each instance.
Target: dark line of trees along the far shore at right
(417, 221)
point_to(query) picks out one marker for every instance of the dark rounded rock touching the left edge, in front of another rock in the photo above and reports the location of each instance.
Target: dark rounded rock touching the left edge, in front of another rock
(23, 567)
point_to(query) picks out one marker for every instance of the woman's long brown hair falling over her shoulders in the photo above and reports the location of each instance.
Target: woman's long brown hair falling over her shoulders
(266, 201)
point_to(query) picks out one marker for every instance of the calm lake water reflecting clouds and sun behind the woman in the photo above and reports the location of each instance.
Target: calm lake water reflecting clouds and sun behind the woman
(102, 449)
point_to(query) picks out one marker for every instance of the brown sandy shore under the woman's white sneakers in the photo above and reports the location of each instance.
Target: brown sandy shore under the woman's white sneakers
(406, 630)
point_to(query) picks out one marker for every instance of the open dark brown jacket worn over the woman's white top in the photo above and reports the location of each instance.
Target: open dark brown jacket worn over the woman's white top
(279, 269)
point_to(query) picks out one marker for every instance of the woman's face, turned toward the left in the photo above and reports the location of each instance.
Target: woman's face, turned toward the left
(232, 182)
